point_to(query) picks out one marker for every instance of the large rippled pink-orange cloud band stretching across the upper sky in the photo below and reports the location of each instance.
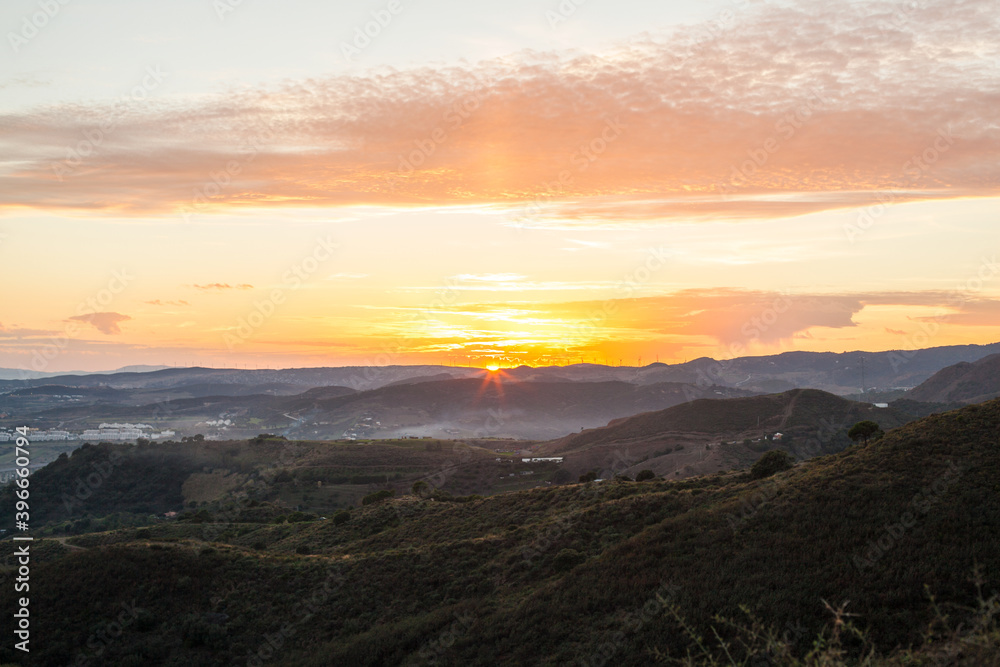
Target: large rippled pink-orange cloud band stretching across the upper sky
(794, 108)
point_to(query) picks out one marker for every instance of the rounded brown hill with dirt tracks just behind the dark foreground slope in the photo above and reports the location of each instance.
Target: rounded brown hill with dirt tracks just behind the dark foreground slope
(706, 436)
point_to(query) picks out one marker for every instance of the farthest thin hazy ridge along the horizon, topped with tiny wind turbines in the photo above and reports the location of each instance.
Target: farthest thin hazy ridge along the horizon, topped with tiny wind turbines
(837, 373)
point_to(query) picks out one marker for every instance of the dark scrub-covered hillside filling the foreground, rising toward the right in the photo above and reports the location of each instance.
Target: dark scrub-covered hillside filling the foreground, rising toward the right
(598, 573)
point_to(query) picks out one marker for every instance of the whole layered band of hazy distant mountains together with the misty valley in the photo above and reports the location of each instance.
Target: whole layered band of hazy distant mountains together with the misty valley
(453, 402)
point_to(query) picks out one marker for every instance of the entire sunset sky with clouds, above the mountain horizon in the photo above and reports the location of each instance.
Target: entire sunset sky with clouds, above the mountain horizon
(242, 183)
